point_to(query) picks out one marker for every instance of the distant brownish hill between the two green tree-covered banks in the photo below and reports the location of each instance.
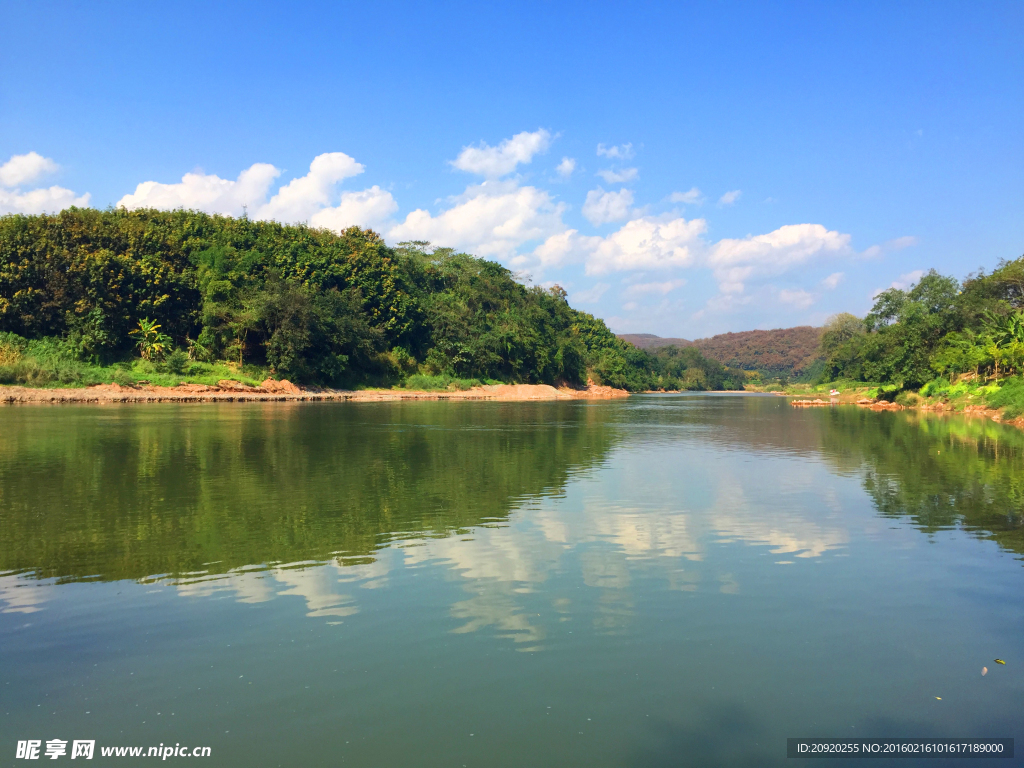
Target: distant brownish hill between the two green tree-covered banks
(792, 352)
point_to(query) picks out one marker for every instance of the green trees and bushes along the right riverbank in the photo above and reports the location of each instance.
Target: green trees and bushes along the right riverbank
(936, 334)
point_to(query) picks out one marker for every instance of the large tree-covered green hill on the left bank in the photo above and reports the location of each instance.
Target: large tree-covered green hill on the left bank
(147, 292)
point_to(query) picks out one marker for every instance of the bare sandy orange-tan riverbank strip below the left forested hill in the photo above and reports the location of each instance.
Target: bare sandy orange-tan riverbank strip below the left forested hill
(234, 392)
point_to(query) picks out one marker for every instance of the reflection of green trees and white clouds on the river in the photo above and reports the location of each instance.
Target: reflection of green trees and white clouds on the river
(319, 503)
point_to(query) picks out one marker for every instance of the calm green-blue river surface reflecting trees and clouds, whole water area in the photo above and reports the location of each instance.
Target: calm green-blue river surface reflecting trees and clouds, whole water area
(660, 582)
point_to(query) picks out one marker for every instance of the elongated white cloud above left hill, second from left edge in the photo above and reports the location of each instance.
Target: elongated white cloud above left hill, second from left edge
(207, 192)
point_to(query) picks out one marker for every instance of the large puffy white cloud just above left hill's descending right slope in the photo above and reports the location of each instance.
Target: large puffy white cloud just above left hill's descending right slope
(490, 220)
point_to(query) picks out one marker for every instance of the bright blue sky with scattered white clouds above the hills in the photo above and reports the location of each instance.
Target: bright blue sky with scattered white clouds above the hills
(681, 169)
